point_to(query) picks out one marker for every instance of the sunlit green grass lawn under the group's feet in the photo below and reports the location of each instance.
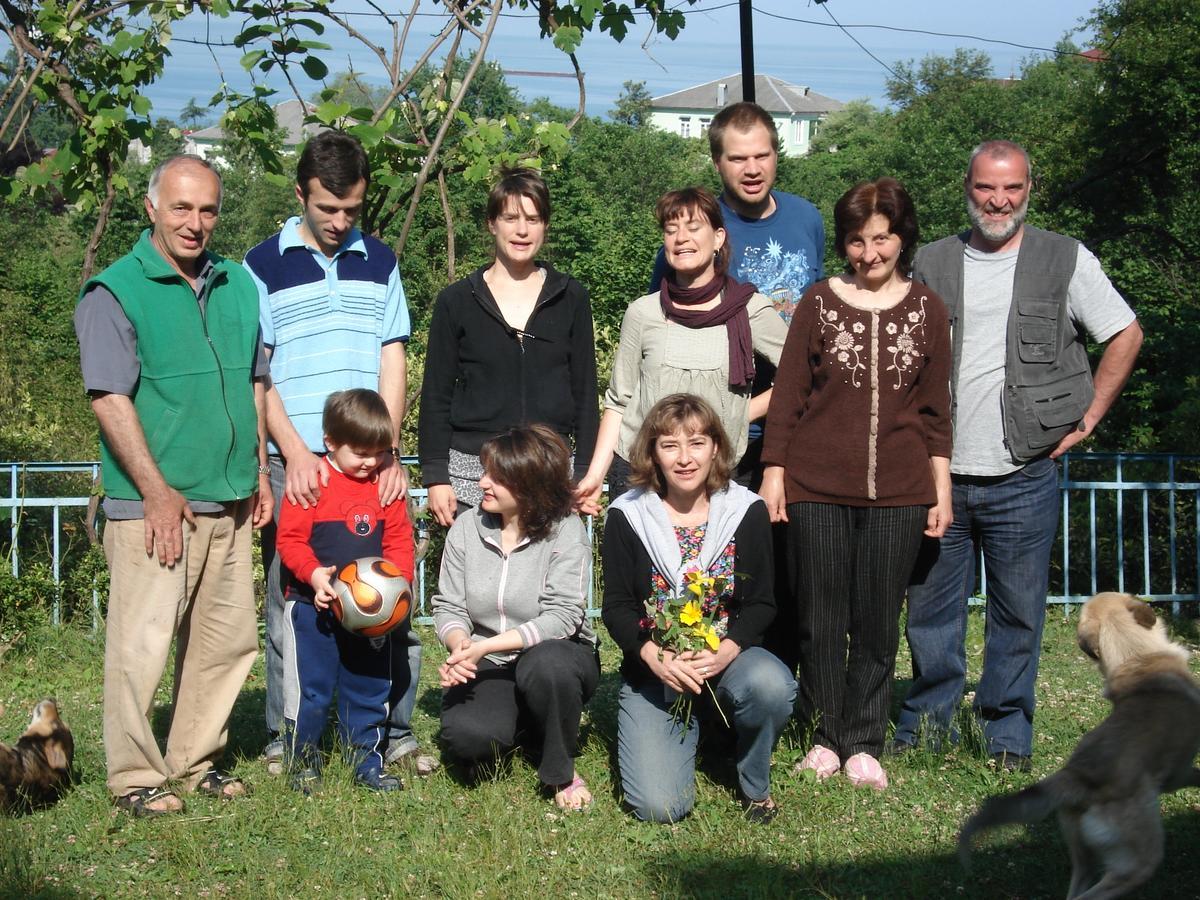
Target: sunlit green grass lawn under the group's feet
(503, 839)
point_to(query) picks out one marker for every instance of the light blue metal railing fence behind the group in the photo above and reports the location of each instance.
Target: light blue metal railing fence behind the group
(1130, 523)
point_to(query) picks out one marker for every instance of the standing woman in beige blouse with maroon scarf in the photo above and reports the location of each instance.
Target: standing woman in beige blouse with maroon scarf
(697, 335)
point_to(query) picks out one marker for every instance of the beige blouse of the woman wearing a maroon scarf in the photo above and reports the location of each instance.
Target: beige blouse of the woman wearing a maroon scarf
(657, 357)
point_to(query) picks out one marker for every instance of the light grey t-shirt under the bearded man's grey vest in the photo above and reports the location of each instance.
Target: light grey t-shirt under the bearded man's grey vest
(987, 297)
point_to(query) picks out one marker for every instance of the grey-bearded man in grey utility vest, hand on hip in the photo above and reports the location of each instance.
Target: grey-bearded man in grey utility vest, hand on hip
(1021, 302)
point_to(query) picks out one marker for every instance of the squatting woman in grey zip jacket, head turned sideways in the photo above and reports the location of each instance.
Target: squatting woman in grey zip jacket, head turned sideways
(511, 610)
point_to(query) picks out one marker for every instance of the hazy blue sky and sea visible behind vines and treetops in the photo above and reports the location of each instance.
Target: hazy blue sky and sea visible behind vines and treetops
(795, 40)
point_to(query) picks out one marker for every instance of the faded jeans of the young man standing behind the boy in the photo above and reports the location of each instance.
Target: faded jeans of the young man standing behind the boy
(406, 647)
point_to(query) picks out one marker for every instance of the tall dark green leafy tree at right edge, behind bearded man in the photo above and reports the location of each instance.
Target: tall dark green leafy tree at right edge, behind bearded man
(1142, 200)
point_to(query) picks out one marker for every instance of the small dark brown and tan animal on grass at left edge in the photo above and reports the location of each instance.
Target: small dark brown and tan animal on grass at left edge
(37, 771)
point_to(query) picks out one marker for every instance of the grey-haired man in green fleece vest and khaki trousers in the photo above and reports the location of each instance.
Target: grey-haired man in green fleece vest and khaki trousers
(173, 362)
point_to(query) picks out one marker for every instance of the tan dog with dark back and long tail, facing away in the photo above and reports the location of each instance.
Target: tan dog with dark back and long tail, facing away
(1107, 795)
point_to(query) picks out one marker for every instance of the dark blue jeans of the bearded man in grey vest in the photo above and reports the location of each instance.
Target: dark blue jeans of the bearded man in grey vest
(1013, 519)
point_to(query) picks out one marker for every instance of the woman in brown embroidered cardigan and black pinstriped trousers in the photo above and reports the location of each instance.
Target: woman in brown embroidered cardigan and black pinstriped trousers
(857, 463)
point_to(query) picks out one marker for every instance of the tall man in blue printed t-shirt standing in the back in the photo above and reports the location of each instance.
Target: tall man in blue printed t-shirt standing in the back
(777, 244)
